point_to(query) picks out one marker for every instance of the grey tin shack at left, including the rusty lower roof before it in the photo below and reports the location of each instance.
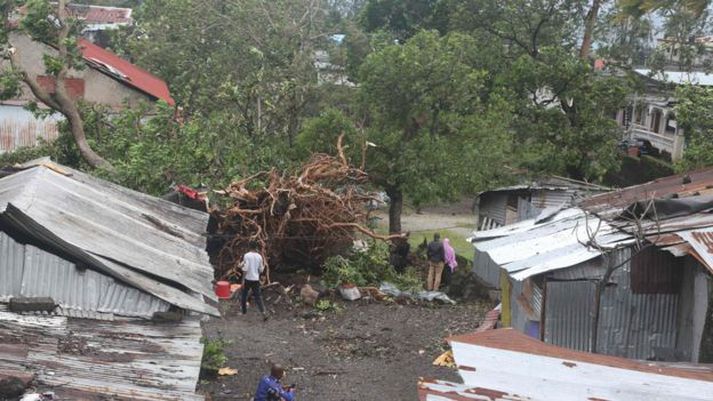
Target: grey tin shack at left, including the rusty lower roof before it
(101, 288)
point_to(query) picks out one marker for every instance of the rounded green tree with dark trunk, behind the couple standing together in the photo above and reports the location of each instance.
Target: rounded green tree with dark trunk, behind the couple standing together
(433, 137)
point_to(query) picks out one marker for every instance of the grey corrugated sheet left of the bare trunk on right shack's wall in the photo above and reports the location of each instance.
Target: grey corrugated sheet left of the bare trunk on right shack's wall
(569, 311)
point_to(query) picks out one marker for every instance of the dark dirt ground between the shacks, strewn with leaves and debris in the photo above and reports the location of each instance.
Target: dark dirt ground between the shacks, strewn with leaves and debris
(368, 350)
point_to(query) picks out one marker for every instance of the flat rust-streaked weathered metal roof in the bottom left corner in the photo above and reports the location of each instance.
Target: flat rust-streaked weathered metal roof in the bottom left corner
(92, 360)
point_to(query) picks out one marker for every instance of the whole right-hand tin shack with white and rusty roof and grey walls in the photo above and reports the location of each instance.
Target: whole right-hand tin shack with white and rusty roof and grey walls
(625, 273)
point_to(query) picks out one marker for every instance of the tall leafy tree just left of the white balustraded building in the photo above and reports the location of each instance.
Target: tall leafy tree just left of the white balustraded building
(562, 109)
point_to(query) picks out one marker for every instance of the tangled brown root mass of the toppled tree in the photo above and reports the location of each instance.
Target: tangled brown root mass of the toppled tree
(296, 219)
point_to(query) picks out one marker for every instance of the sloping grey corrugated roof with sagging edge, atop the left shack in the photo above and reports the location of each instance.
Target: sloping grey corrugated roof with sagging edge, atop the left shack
(130, 236)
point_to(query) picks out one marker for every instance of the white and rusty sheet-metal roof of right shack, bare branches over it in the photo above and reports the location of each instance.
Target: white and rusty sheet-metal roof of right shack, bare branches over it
(674, 213)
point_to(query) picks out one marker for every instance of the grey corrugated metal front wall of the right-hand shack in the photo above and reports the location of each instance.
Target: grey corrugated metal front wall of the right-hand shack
(639, 326)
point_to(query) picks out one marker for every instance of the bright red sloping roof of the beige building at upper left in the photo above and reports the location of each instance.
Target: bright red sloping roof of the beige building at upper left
(122, 70)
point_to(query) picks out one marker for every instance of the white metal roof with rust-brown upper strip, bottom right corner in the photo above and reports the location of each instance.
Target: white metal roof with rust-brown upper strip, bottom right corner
(509, 362)
